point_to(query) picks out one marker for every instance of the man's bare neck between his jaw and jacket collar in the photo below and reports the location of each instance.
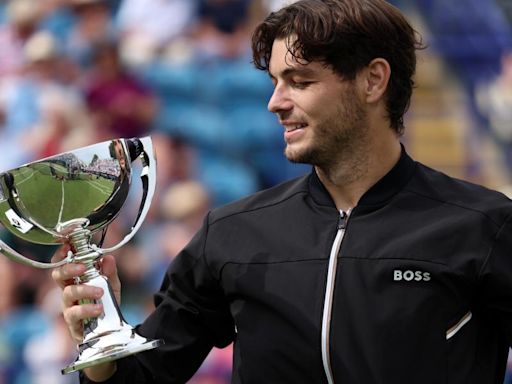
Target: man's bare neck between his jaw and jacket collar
(348, 181)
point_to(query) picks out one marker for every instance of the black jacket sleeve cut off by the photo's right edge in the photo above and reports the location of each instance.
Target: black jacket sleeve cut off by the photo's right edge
(495, 288)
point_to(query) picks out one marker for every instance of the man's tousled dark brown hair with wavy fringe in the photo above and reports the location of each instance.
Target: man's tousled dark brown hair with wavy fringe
(347, 35)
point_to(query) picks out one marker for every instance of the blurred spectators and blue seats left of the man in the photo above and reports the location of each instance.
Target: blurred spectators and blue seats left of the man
(77, 72)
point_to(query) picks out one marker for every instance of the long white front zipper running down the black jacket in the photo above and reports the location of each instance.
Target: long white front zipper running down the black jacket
(329, 292)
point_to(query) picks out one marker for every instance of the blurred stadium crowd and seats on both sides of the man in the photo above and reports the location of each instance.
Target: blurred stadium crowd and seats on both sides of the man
(75, 72)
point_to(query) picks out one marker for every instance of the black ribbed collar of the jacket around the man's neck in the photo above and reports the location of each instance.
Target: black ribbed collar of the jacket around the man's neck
(381, 192)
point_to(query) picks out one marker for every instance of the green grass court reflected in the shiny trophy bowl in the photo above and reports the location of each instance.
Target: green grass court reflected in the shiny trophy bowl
(51, 194)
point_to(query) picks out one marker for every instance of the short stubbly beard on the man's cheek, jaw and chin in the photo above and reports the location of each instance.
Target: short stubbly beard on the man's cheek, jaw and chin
(341, 138)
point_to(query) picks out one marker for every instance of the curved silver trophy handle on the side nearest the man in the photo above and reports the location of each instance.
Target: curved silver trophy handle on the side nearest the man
(148, 178)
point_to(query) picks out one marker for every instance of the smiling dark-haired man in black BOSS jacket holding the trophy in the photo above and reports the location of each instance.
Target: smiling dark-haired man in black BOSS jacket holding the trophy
(371, 269)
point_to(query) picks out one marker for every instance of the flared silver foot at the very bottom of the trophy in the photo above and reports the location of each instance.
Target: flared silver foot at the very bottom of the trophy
(108, 348)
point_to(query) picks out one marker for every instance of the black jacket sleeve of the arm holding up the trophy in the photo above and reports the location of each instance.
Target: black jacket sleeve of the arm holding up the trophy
(191, 315)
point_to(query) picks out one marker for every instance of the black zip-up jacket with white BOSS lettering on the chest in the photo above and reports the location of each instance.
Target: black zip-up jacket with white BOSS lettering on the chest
(421, 287)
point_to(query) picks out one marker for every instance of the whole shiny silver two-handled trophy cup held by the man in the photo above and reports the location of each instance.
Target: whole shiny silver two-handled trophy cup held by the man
(66, 199)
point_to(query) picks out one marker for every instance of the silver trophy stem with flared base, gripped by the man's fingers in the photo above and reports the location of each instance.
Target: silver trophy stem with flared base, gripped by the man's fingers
(108, 337)
